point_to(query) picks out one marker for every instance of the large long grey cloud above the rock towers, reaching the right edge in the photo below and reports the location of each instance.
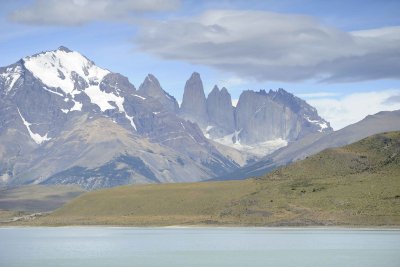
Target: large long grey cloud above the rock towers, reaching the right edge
(271, 46)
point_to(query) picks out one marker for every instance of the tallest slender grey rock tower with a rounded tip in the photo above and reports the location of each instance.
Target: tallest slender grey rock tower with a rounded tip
(194, 107)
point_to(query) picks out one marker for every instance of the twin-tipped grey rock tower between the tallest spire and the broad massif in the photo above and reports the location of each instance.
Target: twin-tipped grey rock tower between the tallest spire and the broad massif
(220, 112)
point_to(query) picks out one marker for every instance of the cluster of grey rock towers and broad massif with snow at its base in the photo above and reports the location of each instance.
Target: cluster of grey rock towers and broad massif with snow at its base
(258, 118)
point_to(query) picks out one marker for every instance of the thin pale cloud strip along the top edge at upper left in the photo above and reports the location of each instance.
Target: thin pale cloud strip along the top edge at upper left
(76, 12)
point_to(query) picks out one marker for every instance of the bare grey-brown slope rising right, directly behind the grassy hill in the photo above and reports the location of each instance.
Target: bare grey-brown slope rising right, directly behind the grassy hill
(313, 143)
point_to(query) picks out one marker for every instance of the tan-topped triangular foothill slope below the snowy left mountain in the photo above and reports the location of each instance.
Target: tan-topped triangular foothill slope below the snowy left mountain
(96, 153)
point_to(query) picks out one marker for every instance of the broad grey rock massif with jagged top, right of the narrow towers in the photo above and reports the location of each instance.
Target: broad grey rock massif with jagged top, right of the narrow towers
(262, 116)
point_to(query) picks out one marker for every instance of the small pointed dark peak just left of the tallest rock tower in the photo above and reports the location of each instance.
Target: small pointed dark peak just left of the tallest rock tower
(152, 88)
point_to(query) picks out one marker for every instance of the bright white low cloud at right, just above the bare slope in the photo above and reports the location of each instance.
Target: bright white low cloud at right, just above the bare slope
(354, 107)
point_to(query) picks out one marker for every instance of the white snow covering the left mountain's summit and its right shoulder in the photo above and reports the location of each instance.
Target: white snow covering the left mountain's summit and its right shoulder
(74, 79)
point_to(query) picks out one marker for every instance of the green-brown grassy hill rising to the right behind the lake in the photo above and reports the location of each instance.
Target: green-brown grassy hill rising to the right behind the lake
(357, 185)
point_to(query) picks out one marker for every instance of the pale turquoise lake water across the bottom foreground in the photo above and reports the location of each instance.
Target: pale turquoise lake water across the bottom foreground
(108, 246)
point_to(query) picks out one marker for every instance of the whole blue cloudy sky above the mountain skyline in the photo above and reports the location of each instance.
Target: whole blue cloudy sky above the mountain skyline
(343, 57)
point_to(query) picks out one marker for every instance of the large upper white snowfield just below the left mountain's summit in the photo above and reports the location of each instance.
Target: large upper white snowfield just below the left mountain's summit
(62, 68)
